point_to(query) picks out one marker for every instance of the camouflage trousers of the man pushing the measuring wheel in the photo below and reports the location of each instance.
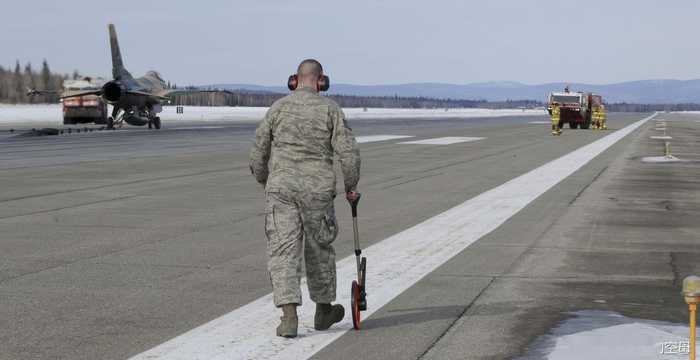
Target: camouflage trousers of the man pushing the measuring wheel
(296, 226)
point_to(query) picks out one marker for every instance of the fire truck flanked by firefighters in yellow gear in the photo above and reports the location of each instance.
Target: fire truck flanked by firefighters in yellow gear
(576, 107)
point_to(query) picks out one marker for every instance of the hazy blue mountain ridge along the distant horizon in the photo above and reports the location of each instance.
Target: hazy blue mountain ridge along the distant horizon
(644, 91)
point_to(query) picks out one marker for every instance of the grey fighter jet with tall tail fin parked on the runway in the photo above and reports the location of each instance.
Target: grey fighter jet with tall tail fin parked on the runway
(136, 101)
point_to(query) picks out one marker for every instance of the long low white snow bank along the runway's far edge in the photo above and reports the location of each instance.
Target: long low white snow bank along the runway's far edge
(51, 113)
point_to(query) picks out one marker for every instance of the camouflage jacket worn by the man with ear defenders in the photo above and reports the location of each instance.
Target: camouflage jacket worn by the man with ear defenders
(296, 142)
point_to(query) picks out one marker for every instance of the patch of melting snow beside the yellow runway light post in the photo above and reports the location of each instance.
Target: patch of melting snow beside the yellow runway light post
(594, 334)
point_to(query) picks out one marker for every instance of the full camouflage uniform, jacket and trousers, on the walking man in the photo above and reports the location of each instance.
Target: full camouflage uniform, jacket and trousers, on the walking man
(293, 158)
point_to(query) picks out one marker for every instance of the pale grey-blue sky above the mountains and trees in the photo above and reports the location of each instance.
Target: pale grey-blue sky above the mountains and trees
(362, 41)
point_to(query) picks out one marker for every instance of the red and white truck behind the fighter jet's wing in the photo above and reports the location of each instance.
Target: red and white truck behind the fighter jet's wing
(83, 109)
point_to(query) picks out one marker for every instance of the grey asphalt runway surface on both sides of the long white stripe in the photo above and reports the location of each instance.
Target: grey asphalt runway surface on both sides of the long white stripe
(115, 242)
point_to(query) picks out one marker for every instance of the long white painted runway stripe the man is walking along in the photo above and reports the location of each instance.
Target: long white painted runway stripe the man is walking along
(394, 265)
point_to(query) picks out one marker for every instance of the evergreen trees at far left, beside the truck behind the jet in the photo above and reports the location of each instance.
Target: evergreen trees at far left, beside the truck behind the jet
(15, 83)
